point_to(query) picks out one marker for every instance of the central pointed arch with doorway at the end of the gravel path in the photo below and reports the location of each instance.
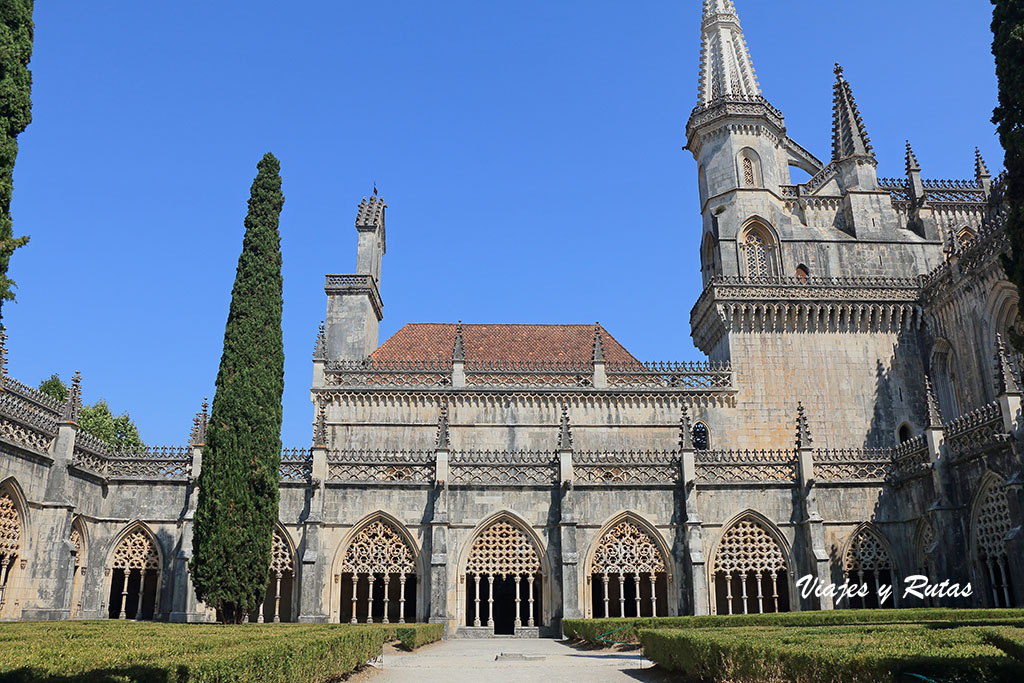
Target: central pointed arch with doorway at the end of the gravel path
(505, 557)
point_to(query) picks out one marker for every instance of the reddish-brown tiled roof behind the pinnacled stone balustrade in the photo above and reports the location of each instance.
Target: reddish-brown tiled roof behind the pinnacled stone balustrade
(516, 344)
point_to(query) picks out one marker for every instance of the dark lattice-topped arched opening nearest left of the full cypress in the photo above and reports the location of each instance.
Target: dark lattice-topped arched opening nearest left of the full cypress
(135, 576)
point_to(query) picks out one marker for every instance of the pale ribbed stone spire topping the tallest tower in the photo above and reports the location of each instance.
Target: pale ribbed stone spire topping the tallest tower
(727, 70)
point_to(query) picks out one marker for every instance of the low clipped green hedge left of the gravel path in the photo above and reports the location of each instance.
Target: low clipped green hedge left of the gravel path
(150, 653)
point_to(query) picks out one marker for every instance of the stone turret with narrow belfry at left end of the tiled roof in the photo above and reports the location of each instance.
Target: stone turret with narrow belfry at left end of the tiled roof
(355, 309)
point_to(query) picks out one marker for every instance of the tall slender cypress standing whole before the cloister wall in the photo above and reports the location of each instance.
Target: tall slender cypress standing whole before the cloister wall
(238, 486)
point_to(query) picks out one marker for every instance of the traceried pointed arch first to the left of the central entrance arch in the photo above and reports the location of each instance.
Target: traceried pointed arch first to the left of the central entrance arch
(378, 570)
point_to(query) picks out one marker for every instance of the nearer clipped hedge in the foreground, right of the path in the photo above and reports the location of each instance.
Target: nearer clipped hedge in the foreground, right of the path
(839, 655)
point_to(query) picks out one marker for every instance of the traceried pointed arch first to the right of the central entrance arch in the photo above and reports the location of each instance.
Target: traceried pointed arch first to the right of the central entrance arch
(628, 570)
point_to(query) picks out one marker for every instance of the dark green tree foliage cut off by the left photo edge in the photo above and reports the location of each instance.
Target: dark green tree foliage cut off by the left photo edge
(16, 115)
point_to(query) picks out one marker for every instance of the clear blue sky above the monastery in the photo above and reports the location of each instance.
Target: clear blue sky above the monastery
(530, 152)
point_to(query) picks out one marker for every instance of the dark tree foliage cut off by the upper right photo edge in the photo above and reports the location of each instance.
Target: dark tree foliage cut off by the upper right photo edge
(1008, 47)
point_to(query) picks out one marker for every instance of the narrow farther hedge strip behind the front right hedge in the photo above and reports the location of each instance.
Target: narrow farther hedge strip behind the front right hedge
(626, 629)
